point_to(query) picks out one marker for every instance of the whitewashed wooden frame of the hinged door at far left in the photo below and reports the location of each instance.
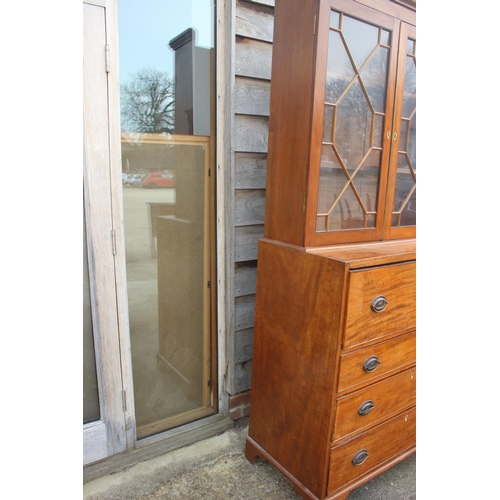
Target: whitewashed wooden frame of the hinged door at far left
(106, 436)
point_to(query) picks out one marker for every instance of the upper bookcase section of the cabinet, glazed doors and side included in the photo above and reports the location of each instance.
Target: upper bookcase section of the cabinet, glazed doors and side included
(342, 125)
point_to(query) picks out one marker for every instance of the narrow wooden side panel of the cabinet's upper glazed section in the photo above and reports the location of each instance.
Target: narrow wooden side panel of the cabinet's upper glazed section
(290, 119)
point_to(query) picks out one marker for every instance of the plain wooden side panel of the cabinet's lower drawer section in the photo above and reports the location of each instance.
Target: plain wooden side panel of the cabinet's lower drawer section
(298, 306)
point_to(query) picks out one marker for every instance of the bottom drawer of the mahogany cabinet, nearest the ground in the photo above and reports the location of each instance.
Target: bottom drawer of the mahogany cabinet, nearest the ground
(378, 445)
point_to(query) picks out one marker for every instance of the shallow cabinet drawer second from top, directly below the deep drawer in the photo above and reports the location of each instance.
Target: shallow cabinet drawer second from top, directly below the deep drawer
(371, 363)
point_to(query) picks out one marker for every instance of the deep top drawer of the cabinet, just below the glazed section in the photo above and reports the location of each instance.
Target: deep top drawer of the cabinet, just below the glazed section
(393, 289)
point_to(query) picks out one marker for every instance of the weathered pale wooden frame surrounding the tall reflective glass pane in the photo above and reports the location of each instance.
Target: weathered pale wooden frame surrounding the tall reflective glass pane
(224, 68)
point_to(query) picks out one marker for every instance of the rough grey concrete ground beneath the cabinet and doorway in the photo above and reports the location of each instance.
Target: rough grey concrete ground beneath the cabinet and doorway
(216, 469)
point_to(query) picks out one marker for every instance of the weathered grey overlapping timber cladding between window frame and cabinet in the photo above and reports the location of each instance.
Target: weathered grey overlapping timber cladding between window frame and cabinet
(252, 81)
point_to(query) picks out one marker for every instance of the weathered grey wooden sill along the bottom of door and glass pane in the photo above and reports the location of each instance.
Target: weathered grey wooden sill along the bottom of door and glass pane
(159, 444)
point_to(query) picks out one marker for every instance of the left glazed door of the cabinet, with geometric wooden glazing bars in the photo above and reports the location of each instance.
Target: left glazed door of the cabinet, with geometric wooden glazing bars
(357, 113)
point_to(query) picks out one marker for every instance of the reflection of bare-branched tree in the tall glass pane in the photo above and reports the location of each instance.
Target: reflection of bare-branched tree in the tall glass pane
(148, 102)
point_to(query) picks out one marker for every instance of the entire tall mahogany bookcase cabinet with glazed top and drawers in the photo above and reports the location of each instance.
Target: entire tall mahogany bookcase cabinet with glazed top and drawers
(333, 394)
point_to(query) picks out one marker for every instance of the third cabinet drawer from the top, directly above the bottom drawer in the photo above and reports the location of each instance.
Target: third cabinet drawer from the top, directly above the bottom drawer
(374, 403)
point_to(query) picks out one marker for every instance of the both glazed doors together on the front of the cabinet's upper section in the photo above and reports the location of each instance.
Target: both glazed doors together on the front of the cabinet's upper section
(366, 128)
